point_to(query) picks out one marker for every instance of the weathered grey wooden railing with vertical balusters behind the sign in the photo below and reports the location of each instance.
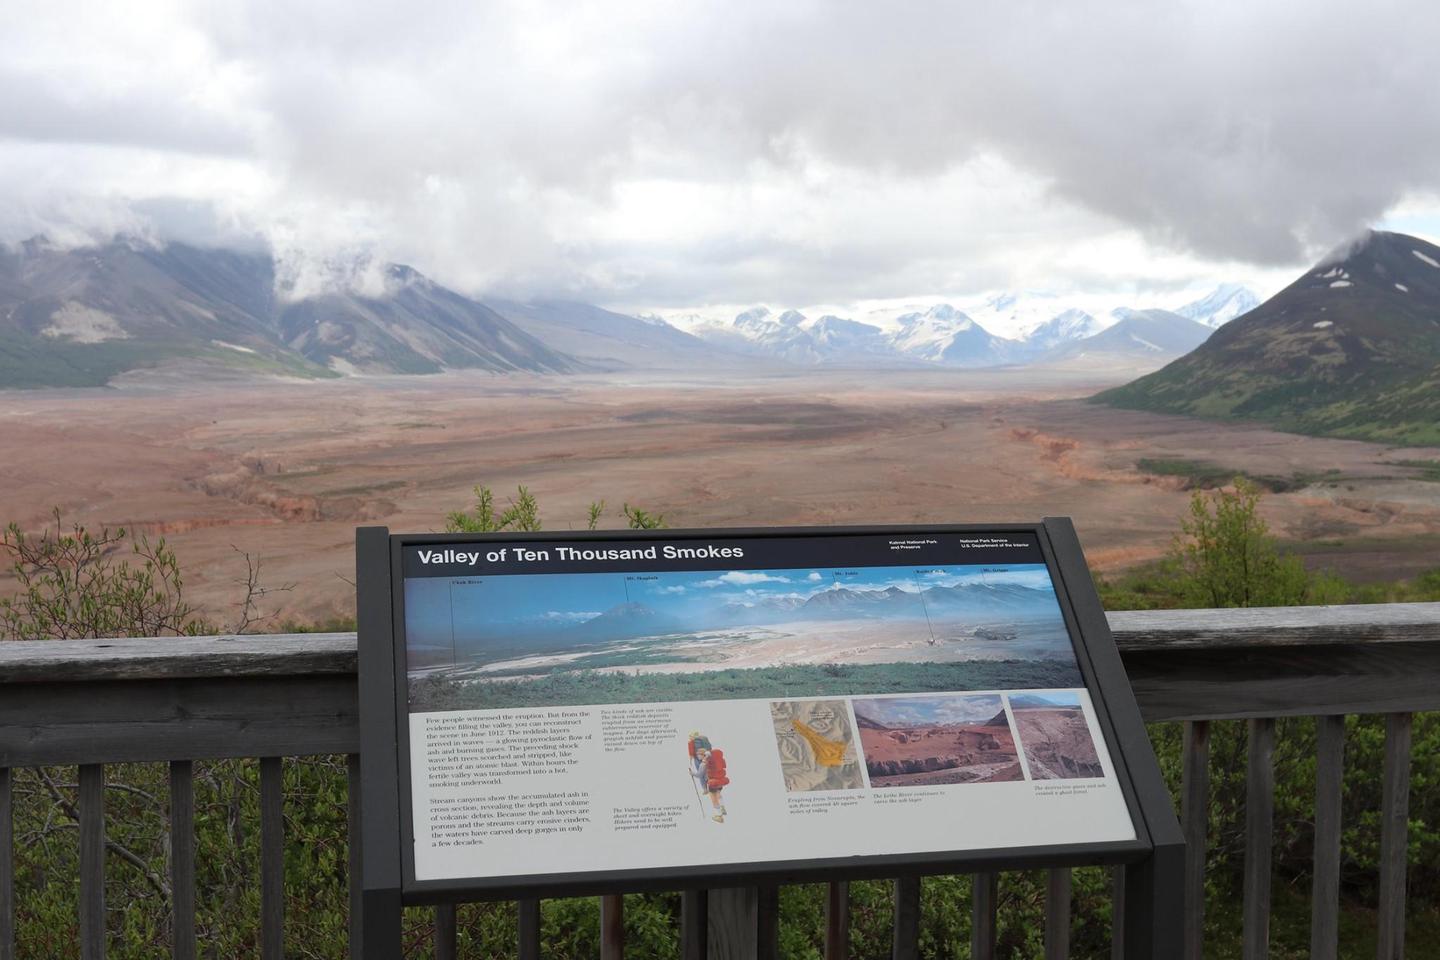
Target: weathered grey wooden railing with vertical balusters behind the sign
(176, 700)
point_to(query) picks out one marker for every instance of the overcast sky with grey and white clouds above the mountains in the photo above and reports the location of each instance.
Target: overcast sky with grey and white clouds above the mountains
(678, 156)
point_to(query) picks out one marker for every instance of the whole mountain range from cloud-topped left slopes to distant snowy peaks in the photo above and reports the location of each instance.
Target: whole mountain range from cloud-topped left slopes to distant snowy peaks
(83, 317)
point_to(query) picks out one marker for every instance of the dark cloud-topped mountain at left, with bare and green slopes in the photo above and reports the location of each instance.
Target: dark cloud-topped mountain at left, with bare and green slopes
(78, 319)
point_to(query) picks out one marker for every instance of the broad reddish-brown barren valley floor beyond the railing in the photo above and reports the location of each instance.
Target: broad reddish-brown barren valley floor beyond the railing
(286, 471)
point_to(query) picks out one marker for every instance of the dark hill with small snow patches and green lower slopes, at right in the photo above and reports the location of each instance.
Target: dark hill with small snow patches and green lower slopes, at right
(1351, 349)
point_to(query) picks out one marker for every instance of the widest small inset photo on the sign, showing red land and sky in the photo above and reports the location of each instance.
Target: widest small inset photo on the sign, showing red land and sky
(912, 742)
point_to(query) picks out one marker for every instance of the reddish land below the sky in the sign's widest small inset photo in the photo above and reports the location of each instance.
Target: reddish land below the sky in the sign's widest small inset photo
(941, 753)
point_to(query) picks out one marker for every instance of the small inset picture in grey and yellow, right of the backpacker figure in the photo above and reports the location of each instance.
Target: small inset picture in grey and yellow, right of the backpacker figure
(817, 746)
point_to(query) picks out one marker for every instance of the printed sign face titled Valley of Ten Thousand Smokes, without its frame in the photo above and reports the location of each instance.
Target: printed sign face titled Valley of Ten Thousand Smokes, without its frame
(584, 706)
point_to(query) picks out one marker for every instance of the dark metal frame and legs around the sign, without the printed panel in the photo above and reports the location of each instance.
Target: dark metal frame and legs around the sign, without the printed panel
(1154, 861)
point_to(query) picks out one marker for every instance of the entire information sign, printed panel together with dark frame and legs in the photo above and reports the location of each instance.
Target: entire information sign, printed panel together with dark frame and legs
(847, 703)
